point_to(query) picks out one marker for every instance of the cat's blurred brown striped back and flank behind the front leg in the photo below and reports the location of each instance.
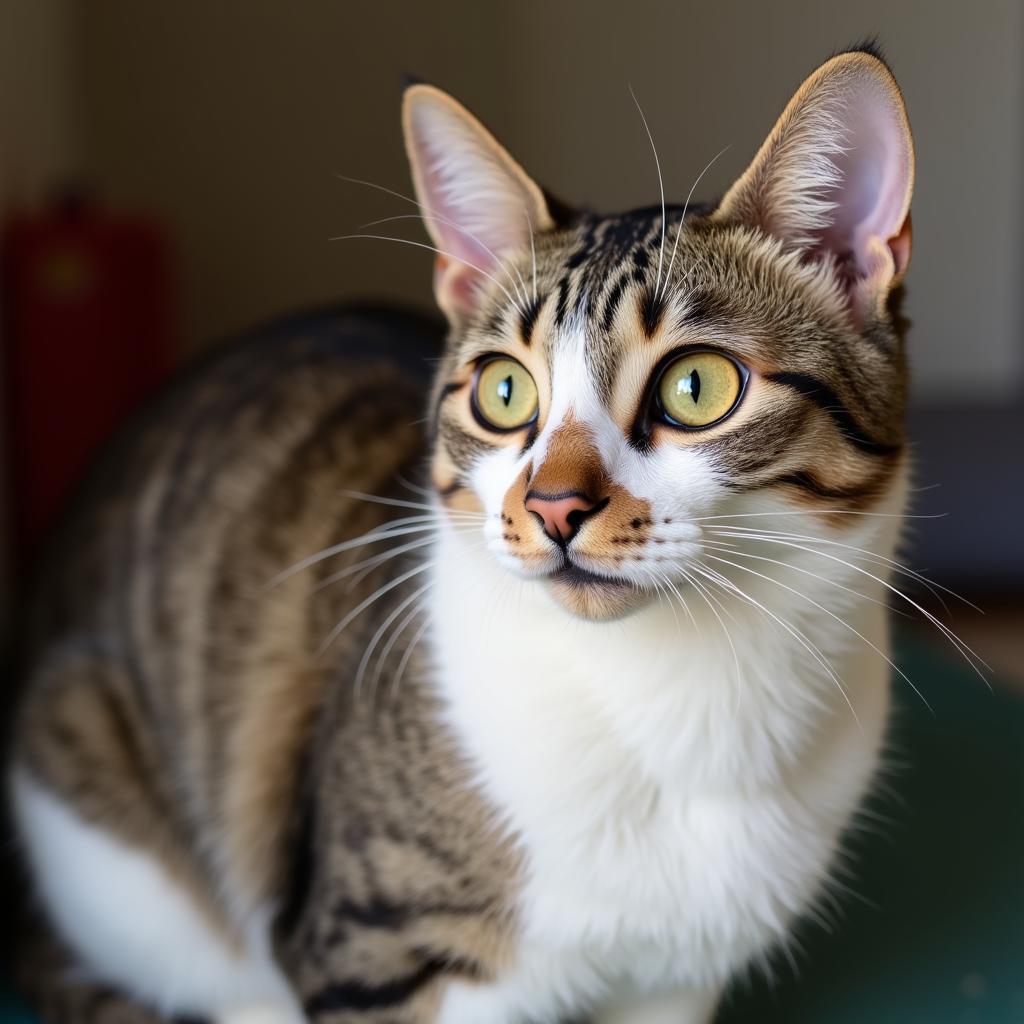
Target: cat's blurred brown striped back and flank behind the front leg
(172, 642)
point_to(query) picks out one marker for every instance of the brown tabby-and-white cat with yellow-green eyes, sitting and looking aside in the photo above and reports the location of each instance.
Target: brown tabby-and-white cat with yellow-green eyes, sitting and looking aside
(574, 733)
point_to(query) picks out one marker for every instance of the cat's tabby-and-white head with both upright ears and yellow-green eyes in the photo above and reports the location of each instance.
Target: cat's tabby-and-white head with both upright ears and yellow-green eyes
(614, 383)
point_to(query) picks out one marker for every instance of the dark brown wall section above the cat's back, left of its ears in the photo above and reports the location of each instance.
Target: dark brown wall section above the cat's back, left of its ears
(233, 120)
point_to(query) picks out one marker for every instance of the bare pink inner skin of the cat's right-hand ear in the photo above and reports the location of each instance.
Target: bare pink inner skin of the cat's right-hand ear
(876, 172)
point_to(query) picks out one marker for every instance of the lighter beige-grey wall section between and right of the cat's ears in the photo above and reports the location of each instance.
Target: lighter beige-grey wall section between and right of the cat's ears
(711, 75)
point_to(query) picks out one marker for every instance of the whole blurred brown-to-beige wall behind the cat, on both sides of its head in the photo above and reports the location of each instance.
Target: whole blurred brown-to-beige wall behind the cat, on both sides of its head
(233, 120)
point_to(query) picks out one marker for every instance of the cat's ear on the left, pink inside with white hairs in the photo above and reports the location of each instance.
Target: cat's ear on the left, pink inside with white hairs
(479, 204)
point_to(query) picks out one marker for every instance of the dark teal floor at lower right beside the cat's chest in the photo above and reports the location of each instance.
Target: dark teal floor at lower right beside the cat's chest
(934, 933)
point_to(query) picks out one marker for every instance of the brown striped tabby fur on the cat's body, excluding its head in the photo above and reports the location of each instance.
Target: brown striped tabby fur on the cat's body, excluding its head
(178, 701)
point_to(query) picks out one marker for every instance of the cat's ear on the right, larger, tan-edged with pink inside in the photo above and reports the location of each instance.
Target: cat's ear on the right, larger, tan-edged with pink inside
(836, 176)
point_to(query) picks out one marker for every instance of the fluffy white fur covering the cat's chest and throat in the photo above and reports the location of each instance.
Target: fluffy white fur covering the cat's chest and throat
(678, 798)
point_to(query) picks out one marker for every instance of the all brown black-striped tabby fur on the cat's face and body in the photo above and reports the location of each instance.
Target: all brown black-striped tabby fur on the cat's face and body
(180, 702)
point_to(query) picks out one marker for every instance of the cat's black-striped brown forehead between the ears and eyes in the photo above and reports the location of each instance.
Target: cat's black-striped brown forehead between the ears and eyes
(628, 282)
